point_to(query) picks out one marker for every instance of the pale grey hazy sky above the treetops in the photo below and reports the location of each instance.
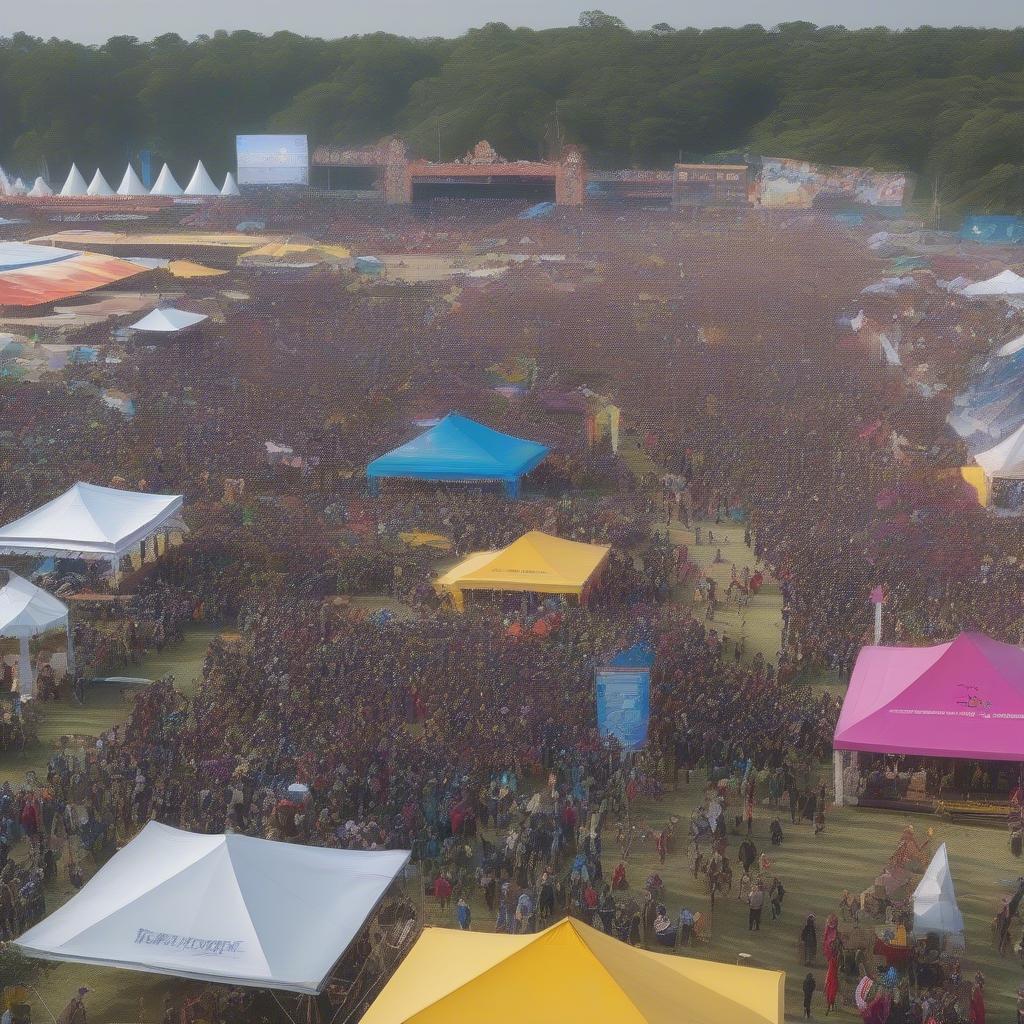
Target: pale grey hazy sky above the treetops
(95, 21)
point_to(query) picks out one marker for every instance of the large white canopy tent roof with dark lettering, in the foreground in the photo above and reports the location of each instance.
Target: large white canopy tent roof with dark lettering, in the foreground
(221, 909)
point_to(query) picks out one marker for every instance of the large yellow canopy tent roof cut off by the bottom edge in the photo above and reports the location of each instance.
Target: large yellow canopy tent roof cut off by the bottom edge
(569, 972)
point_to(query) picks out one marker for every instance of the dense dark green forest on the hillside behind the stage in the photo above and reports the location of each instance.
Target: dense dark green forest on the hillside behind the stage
(946, 104)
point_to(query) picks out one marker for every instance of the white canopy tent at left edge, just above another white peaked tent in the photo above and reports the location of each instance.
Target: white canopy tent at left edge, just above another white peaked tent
(91, 522)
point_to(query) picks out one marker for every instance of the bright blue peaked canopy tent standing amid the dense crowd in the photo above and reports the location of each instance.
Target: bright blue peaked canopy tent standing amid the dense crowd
(460, 450)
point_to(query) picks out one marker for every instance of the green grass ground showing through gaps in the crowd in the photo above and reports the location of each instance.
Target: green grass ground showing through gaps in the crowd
(854, 849)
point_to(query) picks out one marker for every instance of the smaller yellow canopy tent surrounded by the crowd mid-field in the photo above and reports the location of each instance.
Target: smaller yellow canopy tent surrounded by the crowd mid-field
(537, 563)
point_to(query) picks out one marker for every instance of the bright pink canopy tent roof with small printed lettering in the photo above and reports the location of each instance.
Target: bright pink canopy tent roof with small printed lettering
(958, 700)
